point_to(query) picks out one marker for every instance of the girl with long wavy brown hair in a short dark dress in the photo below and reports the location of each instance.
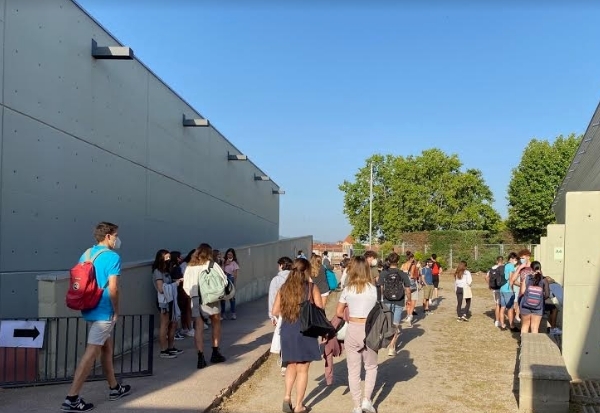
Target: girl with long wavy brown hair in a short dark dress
(297, 350)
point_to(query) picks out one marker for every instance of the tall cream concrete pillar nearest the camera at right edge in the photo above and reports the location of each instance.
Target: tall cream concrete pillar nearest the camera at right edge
(581, 307)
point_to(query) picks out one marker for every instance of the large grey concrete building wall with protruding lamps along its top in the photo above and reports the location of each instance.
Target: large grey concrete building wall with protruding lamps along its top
(89, 133)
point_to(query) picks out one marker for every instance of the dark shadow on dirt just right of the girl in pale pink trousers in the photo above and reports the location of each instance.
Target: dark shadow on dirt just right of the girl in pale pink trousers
(394, 370)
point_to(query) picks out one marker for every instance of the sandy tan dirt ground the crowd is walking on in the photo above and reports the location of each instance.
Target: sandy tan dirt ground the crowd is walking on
(442, 365)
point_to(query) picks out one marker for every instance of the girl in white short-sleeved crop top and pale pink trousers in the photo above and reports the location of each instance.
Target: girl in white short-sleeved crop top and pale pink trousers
(359, 295)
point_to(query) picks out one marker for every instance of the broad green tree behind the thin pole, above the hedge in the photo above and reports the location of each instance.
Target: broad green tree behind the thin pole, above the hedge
(418, 193)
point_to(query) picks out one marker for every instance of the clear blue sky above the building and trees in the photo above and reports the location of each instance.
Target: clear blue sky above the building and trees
(310, 91)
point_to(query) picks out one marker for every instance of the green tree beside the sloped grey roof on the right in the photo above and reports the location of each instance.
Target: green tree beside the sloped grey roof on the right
(534, 183)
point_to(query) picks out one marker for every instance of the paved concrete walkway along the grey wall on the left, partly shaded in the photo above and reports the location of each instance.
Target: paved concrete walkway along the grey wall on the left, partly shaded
(176, 386)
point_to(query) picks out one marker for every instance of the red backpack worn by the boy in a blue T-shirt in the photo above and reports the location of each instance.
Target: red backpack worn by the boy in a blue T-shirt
(84, 293)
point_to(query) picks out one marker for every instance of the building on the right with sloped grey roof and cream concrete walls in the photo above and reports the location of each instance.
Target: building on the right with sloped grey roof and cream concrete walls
(571, 252)
